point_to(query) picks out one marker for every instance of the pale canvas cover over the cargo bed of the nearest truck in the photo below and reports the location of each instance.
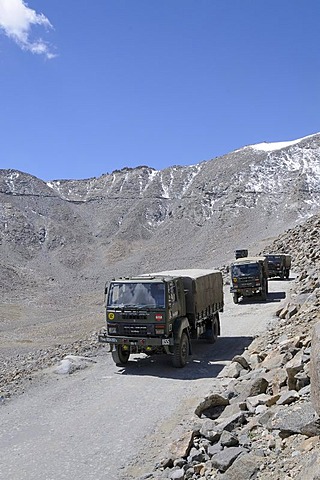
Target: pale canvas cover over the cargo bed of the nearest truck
(204, 287)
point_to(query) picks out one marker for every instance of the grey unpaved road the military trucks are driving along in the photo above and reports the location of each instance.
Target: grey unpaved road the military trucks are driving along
(106, 422)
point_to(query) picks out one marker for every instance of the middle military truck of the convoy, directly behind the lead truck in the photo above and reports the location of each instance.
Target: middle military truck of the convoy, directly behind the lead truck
(249, 277)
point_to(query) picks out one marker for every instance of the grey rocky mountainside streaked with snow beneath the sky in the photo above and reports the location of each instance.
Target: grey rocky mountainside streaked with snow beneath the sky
(134, 220)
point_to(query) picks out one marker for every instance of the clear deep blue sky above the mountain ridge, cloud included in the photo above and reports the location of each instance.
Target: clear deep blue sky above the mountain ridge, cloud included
(90, 87)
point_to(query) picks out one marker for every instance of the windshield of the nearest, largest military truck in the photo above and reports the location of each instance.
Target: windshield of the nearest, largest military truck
(136, 294)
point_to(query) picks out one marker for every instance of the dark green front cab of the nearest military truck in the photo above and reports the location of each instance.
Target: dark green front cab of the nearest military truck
(140, 312)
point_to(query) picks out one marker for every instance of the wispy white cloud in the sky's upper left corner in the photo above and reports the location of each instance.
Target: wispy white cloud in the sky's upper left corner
(16, 21)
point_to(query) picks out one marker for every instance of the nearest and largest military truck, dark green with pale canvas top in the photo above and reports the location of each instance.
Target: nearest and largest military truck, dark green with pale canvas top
(162, 312)
